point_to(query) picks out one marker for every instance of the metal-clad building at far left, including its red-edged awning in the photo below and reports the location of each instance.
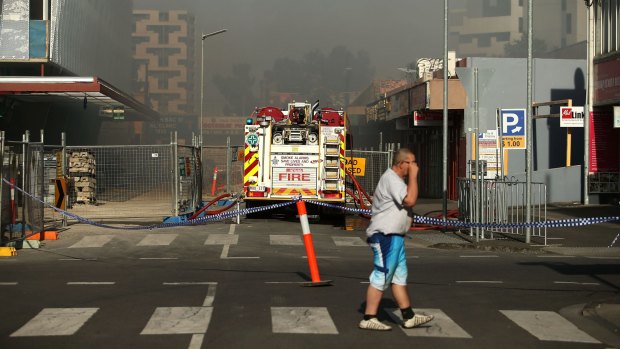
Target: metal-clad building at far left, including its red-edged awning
(64, 64)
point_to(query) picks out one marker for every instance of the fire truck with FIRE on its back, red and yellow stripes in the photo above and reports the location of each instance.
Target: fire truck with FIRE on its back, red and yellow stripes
(292, 152)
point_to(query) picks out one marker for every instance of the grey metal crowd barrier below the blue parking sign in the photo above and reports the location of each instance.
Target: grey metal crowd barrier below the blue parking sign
(501, 202)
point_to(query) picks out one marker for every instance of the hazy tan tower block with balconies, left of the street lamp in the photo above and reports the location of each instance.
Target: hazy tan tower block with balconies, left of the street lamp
(164, 61)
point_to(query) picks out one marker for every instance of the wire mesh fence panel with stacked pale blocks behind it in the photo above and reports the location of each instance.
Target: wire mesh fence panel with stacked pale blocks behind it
(121, 182)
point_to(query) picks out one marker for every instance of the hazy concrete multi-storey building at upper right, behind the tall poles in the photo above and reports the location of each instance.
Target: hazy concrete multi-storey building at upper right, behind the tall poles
(484, 27)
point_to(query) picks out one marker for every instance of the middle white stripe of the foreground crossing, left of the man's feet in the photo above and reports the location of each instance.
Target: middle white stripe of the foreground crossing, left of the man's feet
(302, 320)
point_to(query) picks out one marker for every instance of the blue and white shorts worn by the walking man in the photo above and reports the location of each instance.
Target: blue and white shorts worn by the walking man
(389, 259)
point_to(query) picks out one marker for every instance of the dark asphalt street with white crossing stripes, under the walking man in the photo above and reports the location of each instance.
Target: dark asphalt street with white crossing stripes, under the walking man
(222, 285)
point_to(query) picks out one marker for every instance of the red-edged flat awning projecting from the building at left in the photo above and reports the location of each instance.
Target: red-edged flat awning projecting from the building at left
(93, 90)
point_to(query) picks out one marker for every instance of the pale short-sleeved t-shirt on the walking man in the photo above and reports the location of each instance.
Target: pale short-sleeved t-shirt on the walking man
(389, 216)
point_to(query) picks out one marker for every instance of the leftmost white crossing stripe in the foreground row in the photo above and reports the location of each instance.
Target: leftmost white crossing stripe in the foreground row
(56, 322)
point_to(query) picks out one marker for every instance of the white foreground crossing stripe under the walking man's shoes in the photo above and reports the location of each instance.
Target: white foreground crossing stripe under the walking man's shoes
(441, 326)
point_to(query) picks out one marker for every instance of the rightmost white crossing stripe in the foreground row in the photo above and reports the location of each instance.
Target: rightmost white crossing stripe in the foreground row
(548, 326)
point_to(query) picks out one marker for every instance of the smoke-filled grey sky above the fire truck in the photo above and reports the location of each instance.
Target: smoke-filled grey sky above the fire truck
(393, 32)
